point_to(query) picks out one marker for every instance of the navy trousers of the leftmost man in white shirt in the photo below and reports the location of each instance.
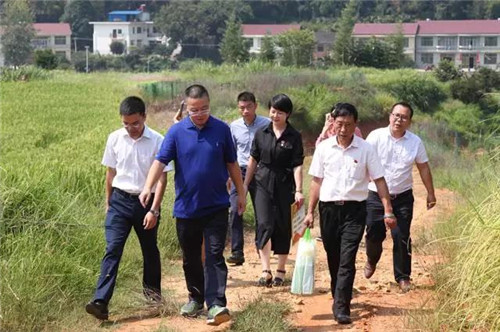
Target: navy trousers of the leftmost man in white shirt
(126, 212)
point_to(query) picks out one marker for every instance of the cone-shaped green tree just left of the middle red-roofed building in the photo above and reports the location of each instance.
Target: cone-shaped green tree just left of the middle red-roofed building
(234, 48)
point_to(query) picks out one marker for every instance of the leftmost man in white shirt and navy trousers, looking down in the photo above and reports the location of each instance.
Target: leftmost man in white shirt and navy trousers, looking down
(129, 153)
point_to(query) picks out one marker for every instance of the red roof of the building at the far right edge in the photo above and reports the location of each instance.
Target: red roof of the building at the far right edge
(459, 27)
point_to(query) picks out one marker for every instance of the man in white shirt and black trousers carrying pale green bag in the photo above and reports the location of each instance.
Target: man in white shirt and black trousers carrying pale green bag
(342, 166)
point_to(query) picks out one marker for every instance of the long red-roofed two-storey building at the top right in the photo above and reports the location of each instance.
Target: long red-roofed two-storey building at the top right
(467, 43)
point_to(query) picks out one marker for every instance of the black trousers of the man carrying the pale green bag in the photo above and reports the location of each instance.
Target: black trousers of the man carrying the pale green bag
(342, 228)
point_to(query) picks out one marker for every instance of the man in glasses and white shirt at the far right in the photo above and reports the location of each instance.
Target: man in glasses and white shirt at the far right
(398, 149)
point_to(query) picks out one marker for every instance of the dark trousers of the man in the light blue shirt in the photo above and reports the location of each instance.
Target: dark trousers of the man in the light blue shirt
(235, 220)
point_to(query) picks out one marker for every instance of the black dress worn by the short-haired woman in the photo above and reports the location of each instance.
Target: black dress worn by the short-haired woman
(275, 185)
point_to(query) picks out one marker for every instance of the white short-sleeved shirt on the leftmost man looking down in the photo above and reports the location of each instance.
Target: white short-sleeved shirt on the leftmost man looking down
(132, 158)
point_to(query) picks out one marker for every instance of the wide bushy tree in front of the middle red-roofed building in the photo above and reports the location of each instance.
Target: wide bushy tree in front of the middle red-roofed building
(297, 47)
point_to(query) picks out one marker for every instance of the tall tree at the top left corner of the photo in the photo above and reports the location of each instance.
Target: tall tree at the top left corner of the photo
(18, 32)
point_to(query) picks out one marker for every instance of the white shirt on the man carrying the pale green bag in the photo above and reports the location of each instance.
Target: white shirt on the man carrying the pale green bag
(345, 172)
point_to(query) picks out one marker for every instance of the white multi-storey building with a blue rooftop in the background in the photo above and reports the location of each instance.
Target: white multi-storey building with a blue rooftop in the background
(133, 28)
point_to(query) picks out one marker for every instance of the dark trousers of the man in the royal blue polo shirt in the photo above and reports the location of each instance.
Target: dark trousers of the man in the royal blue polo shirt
(205, 282)
